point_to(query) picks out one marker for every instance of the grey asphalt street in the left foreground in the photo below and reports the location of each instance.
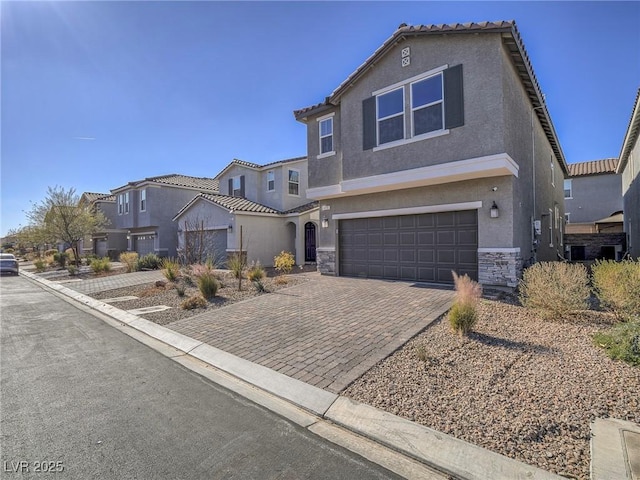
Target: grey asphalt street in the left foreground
(80, 399)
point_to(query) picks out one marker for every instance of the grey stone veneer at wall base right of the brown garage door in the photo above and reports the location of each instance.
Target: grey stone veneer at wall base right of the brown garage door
(499, 267)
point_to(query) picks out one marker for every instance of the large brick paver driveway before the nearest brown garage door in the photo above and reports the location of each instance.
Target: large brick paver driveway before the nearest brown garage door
(326, 332)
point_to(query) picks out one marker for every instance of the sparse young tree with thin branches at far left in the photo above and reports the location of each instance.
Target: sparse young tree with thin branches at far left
(62, 218)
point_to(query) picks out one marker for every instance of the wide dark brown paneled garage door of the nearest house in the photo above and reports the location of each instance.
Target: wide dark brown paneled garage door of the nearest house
(424, 247)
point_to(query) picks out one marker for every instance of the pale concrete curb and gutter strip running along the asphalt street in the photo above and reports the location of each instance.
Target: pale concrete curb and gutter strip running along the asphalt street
(391, 441)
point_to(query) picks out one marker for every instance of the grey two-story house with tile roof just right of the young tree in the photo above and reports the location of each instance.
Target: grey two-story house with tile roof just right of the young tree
(145, 209)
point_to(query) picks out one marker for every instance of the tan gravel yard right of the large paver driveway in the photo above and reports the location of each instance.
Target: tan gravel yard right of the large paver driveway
(520, 386)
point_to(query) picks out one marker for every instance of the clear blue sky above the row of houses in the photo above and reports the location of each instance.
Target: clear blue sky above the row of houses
(97, 94)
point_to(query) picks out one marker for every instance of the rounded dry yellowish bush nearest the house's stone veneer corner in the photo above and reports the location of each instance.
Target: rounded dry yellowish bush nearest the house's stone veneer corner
(555, 289)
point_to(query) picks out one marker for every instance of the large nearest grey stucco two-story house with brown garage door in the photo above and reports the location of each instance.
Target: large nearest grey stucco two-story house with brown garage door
(423, 160)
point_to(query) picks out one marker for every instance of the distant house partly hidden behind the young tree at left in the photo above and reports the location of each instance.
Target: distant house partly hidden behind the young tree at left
(110, 241)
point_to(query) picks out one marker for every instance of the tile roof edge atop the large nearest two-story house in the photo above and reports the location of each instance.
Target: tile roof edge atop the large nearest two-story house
(511, 39)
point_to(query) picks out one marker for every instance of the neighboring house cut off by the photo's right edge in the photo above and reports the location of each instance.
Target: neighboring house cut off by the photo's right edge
(629, 168)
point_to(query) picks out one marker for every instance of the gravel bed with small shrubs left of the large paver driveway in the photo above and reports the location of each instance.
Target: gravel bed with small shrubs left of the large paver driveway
(150, 295)
